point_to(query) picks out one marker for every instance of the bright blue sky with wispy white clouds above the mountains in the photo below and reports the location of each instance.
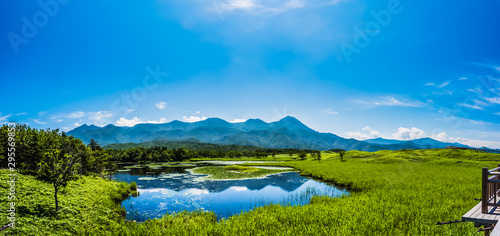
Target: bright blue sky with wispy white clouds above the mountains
(360, 69)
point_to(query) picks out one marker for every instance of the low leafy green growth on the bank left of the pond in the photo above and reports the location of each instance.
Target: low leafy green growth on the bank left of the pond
(87, 205)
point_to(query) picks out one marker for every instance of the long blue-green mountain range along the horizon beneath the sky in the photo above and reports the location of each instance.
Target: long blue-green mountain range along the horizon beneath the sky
(285, 133)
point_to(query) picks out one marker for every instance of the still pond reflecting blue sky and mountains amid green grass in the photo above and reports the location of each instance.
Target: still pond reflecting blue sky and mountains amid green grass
(164, 190)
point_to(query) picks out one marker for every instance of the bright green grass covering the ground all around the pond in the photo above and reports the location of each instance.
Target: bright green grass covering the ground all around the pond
(392, 193)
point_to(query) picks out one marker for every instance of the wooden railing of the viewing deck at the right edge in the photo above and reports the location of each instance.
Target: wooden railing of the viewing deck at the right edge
(490, 188)
